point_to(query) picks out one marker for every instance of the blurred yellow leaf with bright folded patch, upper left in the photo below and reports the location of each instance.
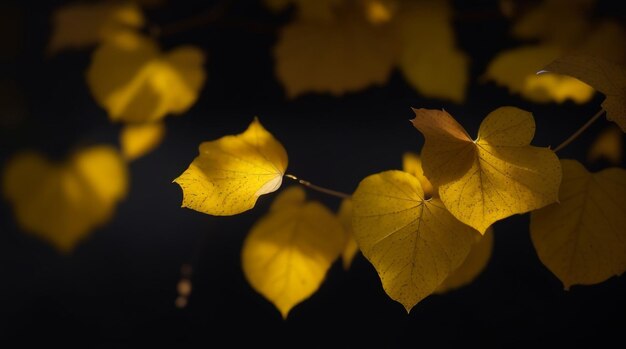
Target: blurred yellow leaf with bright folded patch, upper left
(135, 82)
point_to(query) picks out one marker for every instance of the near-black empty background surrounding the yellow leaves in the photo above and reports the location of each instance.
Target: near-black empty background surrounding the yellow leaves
(120, 283)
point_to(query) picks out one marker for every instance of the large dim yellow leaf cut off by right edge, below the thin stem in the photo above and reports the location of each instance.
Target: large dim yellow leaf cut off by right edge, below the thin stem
(582, 239)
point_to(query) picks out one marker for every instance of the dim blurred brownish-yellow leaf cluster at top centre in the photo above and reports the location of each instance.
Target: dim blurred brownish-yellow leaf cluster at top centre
(341, 46)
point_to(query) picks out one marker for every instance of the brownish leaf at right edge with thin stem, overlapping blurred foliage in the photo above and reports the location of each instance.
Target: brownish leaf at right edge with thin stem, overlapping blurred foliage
(607, 77)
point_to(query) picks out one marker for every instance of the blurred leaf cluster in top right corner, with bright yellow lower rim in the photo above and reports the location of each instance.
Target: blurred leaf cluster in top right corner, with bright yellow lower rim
(554, 28)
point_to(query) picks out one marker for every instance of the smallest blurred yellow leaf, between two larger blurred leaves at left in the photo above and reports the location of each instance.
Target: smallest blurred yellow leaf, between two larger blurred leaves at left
(139, 139)
